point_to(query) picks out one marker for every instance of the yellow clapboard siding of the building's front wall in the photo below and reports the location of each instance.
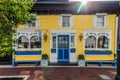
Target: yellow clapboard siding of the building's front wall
(81, 23)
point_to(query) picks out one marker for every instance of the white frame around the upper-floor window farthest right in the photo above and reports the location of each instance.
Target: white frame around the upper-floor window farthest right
(105, 20)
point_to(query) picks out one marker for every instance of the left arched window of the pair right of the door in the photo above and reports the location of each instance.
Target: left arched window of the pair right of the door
(90, 42)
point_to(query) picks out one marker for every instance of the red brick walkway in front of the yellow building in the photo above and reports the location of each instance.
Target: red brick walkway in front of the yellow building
(60, 73)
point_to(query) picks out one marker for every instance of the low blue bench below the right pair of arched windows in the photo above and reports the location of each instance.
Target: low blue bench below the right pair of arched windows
(100, 63)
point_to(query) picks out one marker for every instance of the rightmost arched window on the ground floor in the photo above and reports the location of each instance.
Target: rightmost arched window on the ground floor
(103, 42)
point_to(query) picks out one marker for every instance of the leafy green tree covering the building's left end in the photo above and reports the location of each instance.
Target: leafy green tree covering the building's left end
(12, 13)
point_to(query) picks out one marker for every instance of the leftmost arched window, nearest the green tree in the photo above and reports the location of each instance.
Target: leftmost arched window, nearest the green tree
(23, 42)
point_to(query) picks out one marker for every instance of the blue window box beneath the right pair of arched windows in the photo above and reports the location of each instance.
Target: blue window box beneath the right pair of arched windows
(97, 52)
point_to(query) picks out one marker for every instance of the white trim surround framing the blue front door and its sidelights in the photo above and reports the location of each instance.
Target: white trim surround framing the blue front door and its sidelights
(53, 56)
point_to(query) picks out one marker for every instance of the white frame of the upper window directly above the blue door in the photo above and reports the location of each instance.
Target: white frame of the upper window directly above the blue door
(61, 21)
